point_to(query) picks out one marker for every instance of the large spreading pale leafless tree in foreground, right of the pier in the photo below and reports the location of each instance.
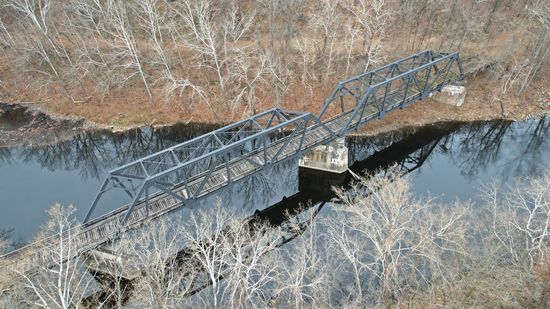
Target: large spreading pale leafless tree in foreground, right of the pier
(392, 244)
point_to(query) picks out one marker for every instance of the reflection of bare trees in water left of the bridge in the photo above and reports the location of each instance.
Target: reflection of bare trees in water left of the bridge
(94, 152)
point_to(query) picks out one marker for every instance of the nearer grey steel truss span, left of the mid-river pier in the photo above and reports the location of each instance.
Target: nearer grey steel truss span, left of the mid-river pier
(197, 167)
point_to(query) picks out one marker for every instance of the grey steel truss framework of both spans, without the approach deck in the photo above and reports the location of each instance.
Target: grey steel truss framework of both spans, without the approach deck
(357, 101)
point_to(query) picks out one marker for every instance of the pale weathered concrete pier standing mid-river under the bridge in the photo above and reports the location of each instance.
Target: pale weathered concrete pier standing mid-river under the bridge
(332, 157)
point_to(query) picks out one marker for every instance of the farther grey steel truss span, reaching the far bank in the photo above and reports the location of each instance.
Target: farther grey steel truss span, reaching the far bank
(374, 93)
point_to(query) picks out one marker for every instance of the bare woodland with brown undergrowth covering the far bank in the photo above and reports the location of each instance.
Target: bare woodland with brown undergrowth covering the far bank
(231, 58)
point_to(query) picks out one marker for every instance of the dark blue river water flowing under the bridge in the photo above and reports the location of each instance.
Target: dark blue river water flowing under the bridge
(449, 161)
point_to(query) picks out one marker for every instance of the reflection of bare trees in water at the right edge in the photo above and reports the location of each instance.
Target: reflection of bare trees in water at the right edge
(479, 145)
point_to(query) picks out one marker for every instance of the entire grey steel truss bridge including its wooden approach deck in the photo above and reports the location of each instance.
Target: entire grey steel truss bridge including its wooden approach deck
(177, 176)
